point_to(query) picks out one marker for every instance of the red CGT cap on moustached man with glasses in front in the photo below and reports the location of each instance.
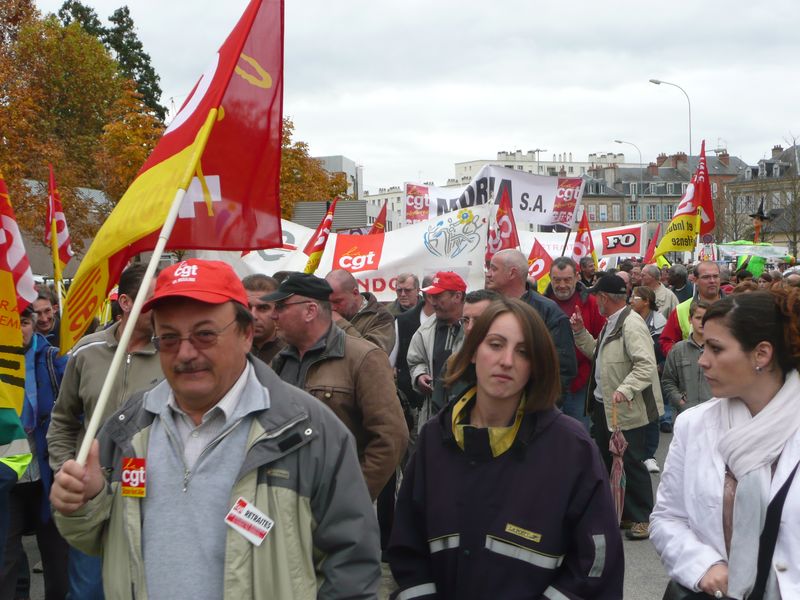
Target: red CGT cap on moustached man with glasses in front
(209, 281)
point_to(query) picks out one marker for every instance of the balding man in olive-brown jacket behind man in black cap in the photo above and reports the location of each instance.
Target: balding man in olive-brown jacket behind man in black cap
(369, 319)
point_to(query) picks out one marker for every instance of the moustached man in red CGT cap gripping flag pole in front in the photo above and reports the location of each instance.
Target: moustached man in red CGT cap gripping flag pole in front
(222, 481)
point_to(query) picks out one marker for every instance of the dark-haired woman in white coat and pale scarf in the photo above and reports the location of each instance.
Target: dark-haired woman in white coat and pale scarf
(731, 455)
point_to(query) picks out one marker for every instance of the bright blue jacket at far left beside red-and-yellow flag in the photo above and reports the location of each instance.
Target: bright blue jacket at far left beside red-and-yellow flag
(49, 370)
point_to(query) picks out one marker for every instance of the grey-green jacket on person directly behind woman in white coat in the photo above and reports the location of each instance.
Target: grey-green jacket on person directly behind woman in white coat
(683, 375)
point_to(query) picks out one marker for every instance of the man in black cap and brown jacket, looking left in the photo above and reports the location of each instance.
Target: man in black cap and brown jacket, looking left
(350, 375)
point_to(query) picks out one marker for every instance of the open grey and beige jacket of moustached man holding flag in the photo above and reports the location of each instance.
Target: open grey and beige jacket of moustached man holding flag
(300, 468)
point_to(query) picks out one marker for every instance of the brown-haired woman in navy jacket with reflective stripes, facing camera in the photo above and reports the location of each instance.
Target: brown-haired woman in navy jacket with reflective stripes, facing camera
(505, 497)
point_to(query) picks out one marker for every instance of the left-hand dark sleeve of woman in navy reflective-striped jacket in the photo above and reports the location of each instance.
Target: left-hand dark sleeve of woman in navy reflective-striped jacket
(409, 556)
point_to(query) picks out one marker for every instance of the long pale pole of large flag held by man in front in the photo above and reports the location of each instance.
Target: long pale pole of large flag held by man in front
(136, 310)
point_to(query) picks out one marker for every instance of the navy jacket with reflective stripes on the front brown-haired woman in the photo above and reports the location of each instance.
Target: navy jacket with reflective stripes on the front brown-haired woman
(536, 521)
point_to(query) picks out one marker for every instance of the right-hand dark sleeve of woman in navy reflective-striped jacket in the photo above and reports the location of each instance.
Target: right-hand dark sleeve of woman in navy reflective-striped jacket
(594, 565)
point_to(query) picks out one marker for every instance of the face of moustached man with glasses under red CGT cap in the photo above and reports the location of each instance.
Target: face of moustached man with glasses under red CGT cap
(202, 349)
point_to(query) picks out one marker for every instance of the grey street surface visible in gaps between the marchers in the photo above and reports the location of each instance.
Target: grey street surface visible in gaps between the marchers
(644, 576)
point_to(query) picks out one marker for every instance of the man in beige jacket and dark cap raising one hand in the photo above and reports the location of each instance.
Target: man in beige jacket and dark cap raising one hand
(624, 374)
